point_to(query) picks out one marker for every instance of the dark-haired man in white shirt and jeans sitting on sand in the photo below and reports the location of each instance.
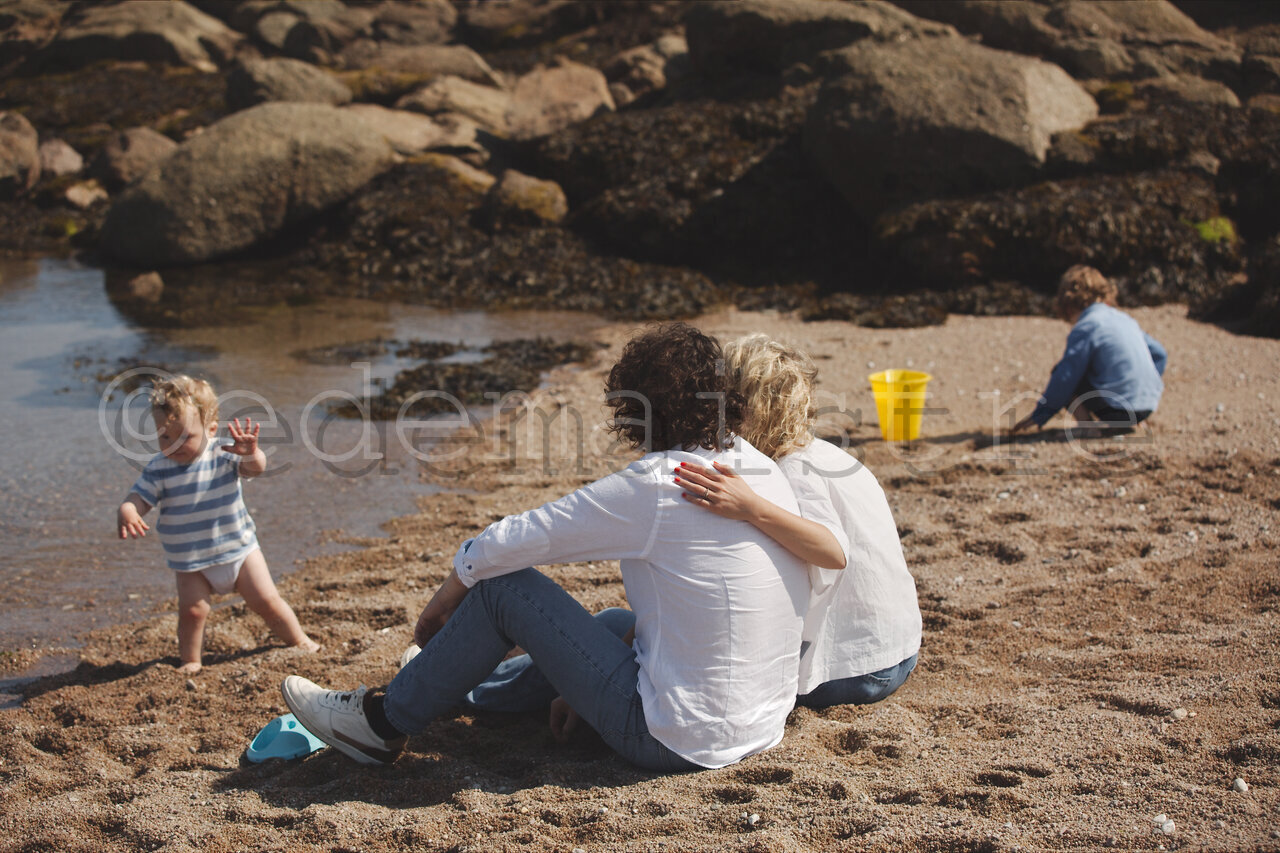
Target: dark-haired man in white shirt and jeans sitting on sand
(701, 673)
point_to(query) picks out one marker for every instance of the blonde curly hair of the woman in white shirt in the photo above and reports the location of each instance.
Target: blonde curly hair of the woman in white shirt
(778, 382)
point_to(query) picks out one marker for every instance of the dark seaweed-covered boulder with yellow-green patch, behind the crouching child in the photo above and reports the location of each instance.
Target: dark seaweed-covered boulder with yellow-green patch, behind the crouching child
(1163, 235)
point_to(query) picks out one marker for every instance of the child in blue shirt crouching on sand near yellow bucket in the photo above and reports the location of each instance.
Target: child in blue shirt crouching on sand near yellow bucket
(1112, 373)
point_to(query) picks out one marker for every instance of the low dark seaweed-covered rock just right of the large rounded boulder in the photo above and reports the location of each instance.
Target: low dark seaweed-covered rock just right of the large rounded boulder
(417, 234)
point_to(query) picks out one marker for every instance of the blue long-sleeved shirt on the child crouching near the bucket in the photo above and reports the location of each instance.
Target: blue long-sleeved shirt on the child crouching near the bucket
(1110, 352)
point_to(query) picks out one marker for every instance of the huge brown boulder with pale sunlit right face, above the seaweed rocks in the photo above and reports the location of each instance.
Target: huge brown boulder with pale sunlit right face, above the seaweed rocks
(902, 122)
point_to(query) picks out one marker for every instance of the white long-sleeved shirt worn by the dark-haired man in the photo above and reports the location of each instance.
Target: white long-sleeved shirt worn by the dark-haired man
(719, 605)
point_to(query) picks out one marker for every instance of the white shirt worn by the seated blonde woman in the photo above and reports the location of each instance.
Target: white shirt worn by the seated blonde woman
(866, 617)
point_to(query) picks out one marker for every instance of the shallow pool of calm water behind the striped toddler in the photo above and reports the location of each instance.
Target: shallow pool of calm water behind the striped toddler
(71, 453)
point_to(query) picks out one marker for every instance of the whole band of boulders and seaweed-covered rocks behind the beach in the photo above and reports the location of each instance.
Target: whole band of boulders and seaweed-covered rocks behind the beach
(883, 163)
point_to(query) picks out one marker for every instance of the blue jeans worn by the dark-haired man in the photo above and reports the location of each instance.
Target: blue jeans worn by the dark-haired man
(579, 658)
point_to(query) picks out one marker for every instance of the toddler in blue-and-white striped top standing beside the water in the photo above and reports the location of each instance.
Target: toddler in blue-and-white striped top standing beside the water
(207, 532)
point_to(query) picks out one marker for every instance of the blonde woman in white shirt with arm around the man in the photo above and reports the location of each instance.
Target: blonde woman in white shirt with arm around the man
(862, 630)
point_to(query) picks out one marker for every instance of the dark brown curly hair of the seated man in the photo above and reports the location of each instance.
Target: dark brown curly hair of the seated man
(669, 390)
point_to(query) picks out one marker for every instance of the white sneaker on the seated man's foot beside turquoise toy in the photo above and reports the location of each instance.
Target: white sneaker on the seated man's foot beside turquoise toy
(339, 719)
